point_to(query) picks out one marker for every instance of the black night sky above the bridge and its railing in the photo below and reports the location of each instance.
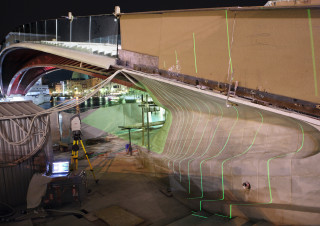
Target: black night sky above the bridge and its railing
(18, 12)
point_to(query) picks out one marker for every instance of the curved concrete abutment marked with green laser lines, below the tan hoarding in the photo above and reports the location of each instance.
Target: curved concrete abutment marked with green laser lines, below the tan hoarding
(212, 149)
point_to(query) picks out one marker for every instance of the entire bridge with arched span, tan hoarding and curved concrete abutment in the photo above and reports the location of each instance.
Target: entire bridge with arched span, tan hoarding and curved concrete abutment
(240, 86)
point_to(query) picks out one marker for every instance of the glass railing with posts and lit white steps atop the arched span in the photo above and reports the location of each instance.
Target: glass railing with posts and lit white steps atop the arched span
(92, 34)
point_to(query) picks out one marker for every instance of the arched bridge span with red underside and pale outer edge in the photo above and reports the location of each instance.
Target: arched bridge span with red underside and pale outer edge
(21, 65)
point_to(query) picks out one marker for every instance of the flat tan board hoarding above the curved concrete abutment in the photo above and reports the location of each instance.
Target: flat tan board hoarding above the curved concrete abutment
(272, 50)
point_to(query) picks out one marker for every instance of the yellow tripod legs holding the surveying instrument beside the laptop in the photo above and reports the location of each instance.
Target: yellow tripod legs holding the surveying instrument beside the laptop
(75, 154)
